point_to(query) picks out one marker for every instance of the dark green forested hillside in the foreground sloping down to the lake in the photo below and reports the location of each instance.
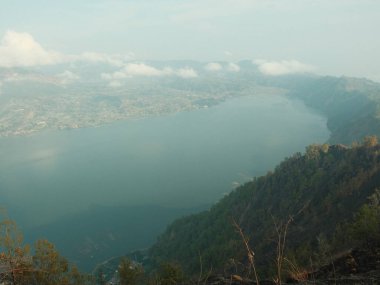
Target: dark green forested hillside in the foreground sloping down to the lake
(325, 187)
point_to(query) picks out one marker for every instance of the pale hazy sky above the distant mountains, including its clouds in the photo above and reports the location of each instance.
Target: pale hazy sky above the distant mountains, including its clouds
(335, 37)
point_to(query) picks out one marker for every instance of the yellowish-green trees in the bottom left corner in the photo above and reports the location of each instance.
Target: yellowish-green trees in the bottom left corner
(45, 267)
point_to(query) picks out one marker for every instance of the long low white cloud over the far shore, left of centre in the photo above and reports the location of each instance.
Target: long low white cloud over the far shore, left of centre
(142, 69)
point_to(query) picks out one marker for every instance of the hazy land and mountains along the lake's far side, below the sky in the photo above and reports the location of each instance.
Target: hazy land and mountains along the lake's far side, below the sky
(82, 94)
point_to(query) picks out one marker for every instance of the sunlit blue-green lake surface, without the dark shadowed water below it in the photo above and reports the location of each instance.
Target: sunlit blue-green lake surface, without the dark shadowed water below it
(180, 160)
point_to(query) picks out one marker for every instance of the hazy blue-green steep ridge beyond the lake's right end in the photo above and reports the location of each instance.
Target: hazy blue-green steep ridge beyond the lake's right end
(351, 105)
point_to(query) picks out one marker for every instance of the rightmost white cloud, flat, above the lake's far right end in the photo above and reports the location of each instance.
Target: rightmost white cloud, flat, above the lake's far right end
(283, 67)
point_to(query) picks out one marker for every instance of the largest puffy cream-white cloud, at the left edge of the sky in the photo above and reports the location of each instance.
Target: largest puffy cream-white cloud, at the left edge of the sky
(20, 49)
